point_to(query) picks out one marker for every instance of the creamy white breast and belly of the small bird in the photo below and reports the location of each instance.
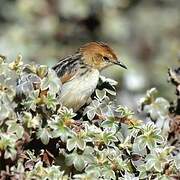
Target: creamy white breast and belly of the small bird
(75, 93)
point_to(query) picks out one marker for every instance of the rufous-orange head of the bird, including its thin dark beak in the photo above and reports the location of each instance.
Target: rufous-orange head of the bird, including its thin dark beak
(99, 55)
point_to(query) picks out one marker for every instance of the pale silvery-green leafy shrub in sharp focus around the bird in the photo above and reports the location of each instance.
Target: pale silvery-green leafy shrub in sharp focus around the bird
(41, 139)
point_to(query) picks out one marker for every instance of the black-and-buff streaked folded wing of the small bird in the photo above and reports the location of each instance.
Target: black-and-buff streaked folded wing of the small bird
(68, 67)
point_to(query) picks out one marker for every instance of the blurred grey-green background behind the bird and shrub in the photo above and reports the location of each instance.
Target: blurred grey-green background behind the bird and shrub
(145, 33)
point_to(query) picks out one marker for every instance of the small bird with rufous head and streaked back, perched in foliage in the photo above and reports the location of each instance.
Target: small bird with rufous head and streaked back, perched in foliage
(79, 73)
